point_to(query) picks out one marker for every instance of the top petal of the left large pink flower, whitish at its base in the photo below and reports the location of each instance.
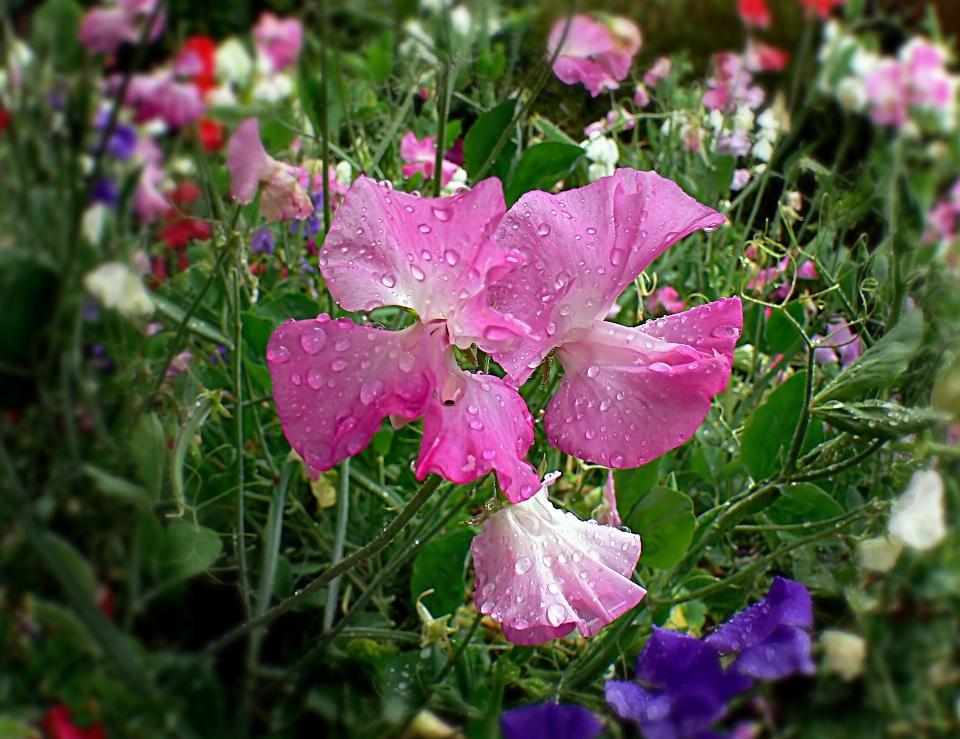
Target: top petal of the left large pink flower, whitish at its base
(428, 254)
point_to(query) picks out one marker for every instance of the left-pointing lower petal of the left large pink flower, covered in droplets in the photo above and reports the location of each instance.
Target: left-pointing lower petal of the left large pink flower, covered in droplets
(334, 382)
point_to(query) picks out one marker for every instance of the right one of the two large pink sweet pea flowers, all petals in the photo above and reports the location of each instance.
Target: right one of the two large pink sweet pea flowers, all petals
(629, 394)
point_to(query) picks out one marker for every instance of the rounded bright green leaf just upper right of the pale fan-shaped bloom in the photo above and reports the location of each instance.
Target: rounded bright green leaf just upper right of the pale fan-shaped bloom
(664, 519)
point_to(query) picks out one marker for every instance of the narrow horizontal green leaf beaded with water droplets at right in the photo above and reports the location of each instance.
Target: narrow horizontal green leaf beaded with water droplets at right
(878, 419)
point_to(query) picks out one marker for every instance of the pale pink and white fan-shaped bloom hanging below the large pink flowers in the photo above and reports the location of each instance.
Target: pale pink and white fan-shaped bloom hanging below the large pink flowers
(541, 573)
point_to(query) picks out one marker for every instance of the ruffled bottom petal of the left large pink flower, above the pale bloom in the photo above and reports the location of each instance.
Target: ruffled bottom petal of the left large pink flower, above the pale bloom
(478, 423)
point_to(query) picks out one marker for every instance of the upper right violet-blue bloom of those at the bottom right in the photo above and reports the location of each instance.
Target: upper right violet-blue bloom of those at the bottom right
(772, 636)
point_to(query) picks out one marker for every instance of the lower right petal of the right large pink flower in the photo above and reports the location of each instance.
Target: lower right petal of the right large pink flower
(630, 395)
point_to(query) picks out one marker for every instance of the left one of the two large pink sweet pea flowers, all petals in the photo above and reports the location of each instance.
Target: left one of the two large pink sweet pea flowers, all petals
(335, 382)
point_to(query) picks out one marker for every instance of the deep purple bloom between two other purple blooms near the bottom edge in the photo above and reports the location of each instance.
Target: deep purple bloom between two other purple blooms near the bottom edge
(682, 688)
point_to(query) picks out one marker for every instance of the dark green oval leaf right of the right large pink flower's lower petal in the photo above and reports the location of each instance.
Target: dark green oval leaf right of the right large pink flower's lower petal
(772, 428)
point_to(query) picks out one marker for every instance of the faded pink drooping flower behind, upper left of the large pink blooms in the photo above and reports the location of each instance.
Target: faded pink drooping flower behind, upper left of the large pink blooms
(250, 167)
